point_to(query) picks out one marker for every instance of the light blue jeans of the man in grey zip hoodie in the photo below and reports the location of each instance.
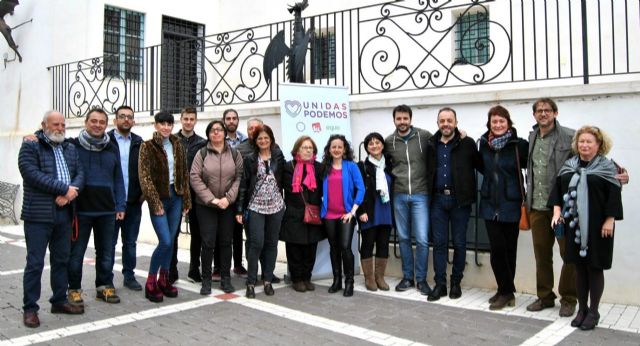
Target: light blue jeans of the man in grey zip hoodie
(412, 218)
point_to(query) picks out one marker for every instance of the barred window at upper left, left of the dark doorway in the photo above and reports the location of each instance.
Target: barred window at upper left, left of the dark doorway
(123, 43)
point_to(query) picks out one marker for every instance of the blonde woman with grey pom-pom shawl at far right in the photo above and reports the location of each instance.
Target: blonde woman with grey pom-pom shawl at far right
(586, 200)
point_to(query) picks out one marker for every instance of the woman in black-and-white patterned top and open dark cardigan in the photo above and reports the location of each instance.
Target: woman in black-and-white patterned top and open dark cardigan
(261, 200)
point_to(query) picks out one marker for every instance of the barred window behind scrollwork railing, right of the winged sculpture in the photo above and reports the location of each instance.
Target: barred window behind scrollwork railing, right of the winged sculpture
(472, 38)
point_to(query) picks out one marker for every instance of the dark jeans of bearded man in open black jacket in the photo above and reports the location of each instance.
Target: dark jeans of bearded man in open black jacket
(444, 210)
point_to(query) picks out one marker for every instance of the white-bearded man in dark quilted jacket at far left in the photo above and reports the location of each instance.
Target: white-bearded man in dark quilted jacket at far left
(52, 177)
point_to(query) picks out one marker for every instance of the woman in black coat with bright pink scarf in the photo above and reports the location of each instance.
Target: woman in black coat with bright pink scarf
(302, 181)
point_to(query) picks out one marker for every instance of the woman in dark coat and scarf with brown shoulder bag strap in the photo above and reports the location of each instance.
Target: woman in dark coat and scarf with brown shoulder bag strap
(501, 198)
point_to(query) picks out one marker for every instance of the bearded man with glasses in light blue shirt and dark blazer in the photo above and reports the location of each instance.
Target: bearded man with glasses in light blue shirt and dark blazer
(128, 144)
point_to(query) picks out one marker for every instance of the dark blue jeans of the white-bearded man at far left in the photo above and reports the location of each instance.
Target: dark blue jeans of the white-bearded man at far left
(38, 235)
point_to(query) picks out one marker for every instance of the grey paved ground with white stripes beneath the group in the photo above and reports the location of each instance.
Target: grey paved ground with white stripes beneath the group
(288, 317)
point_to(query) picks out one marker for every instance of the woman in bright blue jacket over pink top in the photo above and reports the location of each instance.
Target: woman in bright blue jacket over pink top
(343, 191)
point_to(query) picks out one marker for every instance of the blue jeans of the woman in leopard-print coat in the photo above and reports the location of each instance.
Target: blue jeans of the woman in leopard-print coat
(166, 228)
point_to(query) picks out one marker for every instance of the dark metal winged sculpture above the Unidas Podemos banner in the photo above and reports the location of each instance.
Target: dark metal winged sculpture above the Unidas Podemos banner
(278, 50)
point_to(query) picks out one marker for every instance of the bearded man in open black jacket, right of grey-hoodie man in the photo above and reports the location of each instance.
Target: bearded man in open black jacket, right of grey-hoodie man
(454, 188)
